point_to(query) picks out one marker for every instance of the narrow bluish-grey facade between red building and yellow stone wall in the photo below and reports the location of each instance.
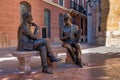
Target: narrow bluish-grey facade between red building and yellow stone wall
(94, 20)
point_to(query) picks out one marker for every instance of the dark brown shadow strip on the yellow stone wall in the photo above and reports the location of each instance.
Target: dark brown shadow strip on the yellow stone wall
(105, 7)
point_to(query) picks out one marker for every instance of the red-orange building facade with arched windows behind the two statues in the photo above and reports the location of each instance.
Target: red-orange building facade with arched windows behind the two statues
(47, 14)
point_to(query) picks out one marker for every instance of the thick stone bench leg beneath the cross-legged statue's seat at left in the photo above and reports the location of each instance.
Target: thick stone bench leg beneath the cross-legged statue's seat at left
(24, 64)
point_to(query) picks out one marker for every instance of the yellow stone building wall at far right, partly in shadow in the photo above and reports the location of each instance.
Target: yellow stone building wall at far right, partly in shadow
(110, 22)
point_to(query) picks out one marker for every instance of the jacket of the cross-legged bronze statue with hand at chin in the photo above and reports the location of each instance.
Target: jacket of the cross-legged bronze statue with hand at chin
(26, 37)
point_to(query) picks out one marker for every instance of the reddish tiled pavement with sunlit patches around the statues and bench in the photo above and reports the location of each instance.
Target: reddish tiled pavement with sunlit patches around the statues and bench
(101, 63)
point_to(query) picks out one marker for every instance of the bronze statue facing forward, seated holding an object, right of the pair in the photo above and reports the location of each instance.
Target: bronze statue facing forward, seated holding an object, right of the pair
(70, 36)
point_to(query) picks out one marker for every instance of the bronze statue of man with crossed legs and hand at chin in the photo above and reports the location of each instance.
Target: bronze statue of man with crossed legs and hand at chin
(28, 41)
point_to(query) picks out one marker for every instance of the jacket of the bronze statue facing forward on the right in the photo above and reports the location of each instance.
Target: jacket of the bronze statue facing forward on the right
(72, 32)
